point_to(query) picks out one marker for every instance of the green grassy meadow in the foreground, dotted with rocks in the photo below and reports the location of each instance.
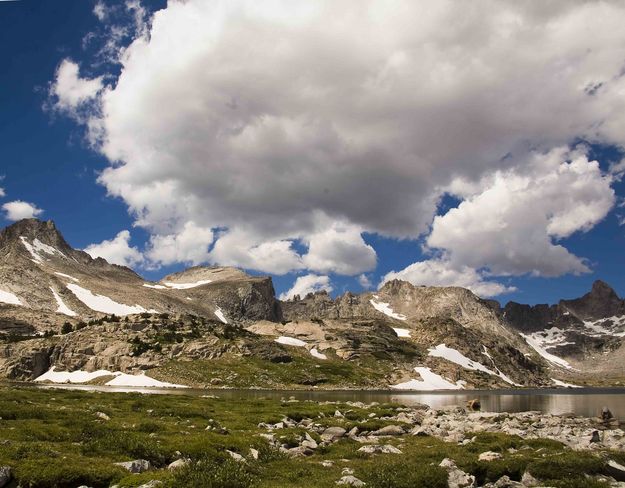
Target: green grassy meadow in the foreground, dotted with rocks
(60, 438)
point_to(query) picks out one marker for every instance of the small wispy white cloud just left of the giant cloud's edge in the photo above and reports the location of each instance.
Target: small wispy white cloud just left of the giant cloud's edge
(70, 91)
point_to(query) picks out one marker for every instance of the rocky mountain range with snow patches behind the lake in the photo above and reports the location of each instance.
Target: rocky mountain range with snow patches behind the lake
(62, 310)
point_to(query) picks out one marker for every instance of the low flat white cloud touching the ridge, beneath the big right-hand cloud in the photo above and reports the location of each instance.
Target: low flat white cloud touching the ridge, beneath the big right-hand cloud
(439, 272)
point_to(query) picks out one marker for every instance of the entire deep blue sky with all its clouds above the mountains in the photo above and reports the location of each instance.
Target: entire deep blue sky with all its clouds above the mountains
(331, 144)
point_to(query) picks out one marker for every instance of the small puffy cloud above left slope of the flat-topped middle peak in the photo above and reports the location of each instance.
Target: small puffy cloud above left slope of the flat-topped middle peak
(190, 245)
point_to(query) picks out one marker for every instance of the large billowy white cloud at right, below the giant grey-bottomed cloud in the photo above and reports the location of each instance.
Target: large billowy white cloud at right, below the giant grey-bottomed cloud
(511, 224)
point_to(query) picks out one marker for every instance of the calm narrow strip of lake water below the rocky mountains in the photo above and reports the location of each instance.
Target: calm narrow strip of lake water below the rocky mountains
(582, 401)
